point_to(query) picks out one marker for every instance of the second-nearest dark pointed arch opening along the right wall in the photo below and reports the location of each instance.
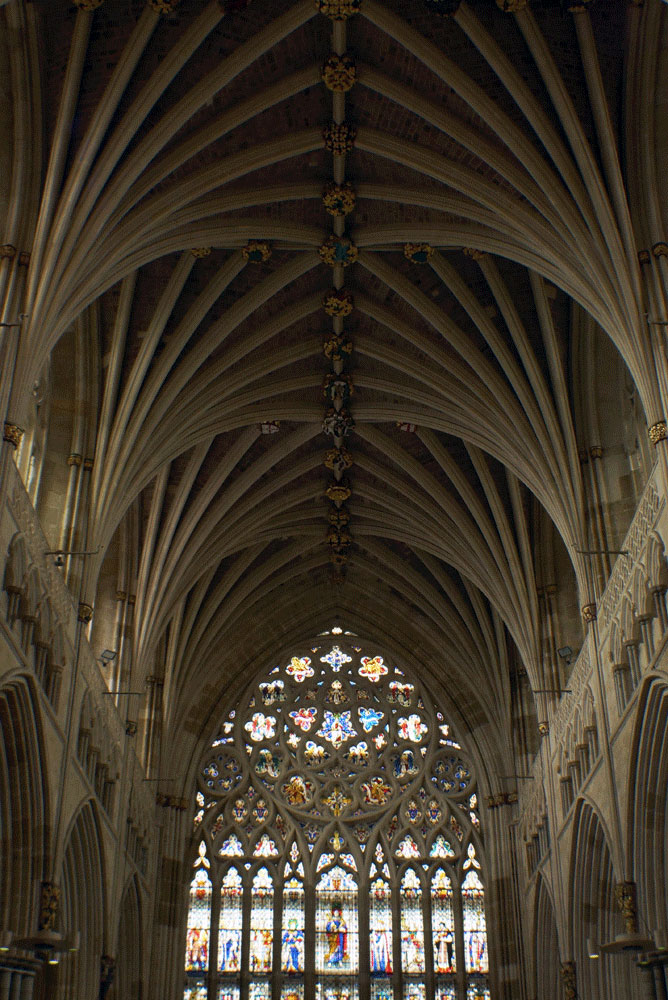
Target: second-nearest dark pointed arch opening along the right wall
(594, 912)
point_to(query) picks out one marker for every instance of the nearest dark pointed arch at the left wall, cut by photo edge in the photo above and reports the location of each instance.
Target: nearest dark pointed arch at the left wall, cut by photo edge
(23, 807)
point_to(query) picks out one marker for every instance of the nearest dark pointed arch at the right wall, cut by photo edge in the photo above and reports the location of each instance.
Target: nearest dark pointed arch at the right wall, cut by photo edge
(648, 826)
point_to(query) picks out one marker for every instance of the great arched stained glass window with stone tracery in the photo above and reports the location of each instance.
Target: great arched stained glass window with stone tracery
(334, 810)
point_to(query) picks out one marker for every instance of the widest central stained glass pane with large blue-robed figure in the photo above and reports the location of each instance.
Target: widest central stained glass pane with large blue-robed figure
(336, 922)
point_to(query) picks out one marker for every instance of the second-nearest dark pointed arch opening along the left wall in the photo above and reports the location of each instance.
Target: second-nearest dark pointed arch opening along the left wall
(82, 883)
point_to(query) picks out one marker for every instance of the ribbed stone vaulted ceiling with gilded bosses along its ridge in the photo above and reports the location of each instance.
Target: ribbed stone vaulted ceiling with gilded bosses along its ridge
(181, 165)
